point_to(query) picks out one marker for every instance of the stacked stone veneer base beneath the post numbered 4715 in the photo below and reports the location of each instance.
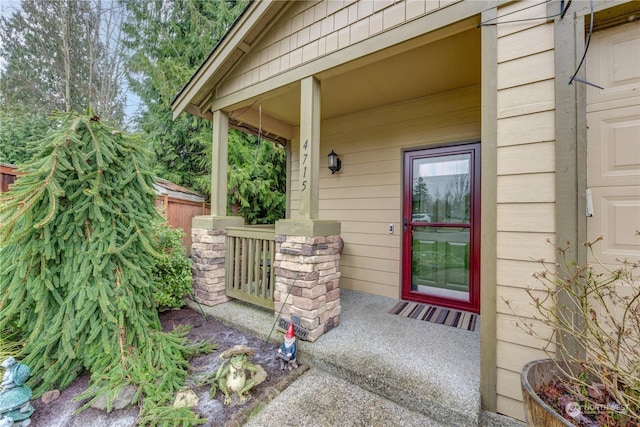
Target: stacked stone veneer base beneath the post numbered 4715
(310, 264)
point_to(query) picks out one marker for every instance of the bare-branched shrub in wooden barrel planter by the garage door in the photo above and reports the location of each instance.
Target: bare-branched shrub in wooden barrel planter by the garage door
(592, 376)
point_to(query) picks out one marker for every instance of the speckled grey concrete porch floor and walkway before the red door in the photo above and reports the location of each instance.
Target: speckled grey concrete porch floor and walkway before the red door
(374, 369)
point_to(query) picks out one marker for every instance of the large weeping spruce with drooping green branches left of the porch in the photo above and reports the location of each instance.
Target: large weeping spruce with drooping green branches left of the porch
(76, 235)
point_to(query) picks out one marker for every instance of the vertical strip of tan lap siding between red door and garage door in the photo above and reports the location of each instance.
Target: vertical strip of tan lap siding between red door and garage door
(525, 187)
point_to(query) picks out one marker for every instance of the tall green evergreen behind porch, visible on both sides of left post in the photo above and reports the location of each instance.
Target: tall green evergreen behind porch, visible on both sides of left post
(170, 41)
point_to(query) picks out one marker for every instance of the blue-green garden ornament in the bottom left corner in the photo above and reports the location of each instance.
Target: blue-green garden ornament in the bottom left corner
(15, 408)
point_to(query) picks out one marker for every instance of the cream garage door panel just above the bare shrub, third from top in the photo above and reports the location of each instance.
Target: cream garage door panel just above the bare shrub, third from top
(616, 215)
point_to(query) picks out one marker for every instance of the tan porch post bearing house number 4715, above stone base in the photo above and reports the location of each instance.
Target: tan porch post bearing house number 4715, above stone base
(309, 147)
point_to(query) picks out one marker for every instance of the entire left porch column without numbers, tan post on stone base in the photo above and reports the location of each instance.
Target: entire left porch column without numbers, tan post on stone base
(209, 232)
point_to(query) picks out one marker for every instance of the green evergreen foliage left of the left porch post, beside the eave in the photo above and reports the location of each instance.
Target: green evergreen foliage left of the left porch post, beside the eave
(169, 41)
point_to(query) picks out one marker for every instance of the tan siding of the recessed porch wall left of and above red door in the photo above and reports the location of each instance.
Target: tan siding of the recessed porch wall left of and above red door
(366, 195)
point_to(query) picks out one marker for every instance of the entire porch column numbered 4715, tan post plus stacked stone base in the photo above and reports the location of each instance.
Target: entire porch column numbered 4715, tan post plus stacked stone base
(308, 249)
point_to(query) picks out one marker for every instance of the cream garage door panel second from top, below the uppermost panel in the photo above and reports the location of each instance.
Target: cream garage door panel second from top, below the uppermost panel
(616, 159)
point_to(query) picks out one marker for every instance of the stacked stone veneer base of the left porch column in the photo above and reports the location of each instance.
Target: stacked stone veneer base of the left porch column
(208, 252)
